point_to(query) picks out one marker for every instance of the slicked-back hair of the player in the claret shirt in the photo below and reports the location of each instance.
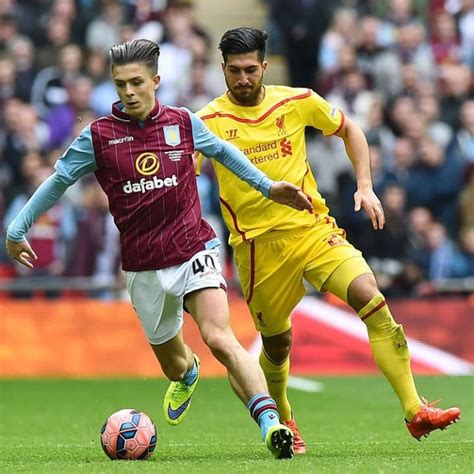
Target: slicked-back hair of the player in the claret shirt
(136, 51)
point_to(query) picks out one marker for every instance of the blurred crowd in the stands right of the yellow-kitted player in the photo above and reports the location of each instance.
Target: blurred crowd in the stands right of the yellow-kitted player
(403, 70)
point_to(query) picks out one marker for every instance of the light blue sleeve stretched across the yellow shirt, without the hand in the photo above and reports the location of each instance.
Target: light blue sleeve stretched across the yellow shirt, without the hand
(229, 156)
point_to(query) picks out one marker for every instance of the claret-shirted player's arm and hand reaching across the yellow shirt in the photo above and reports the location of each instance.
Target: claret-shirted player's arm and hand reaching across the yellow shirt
(232, 158)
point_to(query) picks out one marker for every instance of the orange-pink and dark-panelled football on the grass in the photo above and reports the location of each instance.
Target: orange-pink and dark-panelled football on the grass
(128, 434)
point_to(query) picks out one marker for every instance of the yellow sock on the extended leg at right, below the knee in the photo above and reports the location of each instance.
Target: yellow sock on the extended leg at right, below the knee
(390, 352)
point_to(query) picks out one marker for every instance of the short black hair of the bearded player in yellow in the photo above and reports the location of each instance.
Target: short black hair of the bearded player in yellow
(243, 40)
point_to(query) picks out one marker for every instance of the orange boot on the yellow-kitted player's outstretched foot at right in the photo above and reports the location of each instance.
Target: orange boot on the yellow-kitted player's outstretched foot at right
(431, 418)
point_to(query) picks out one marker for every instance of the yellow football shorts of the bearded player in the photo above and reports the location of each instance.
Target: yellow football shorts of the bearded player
(272, 268)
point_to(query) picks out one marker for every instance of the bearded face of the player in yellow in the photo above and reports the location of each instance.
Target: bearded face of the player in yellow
(244, 76)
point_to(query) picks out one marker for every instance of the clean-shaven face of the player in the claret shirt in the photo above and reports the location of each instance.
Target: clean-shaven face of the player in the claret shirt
(136, 86)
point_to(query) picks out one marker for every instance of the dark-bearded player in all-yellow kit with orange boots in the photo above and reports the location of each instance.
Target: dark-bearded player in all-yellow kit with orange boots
(276, 248)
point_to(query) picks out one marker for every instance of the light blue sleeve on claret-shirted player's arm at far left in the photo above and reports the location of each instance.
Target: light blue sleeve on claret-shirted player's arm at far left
(76, 161)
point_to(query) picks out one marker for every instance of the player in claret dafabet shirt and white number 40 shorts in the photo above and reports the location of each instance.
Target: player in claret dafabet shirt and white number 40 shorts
(142, 156)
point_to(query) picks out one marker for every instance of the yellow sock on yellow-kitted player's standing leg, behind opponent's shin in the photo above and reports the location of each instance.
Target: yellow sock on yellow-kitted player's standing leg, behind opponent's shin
(277, 380)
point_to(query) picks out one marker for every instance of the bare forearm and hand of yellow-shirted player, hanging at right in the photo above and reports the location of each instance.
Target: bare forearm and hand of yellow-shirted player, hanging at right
(358, 151)
